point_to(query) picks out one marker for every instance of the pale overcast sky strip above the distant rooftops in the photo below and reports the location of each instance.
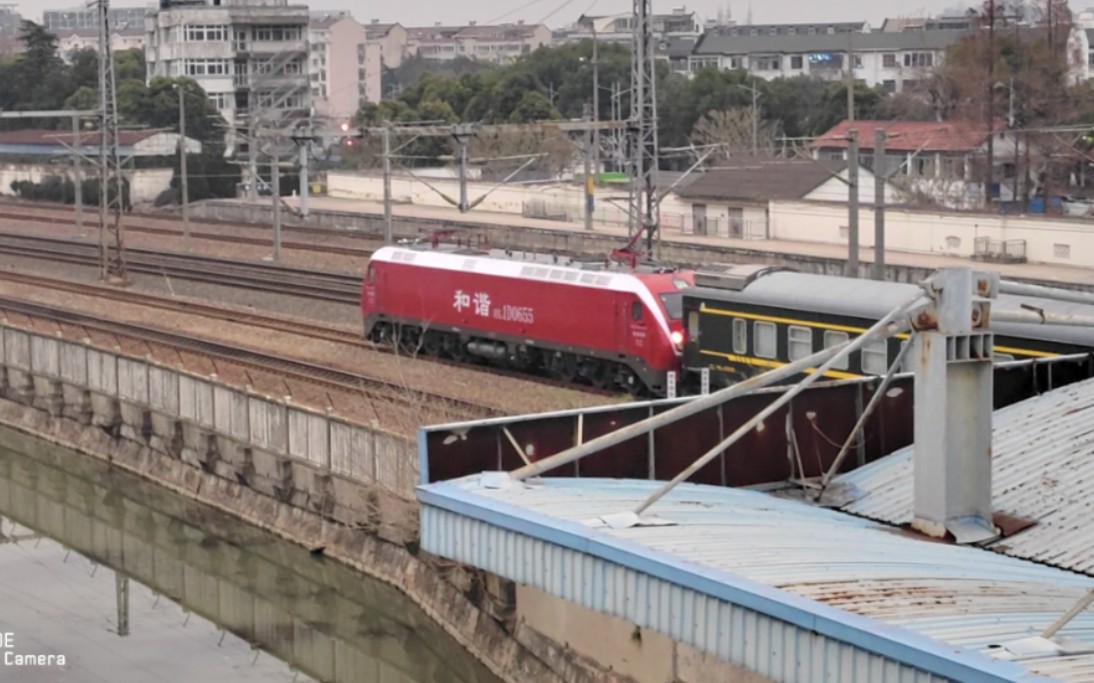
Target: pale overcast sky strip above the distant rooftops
(557, 14)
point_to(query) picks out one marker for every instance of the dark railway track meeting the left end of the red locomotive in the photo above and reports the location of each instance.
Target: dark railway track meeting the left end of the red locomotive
(342, 288)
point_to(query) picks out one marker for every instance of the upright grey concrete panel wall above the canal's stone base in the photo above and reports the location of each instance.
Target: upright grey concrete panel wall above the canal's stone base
(354, 476)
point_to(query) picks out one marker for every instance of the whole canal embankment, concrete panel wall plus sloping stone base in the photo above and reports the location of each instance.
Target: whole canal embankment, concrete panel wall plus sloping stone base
(340, 489)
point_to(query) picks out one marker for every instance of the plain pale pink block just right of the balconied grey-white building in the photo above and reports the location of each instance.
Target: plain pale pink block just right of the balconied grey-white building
(344, 67)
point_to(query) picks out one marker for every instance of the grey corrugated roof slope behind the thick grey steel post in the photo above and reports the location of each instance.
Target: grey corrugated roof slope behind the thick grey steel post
(1043, 470)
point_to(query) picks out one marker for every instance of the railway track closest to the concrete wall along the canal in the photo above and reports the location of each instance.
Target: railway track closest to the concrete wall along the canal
(333, 378)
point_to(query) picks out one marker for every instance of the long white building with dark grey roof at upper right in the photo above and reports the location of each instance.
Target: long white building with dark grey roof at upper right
(898, 61)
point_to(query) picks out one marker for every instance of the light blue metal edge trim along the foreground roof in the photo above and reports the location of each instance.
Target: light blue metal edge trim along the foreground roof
(901, 645)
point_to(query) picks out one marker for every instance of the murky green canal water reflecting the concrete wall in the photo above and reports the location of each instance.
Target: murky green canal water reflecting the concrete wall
(107, 578)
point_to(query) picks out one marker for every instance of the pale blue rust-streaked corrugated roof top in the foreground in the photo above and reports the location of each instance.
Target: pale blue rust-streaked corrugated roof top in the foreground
(959, 596)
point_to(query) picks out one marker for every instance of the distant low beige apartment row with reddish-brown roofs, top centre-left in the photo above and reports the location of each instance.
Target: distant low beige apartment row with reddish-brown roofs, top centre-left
(498, 43)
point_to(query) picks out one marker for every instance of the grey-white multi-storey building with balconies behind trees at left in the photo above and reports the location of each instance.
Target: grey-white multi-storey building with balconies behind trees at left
(250, 56)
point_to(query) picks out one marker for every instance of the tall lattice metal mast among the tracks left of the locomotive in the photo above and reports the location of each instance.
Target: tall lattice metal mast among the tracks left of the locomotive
(112, 250)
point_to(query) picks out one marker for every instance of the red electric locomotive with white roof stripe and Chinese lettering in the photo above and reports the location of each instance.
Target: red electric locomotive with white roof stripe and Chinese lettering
(577, 323)
